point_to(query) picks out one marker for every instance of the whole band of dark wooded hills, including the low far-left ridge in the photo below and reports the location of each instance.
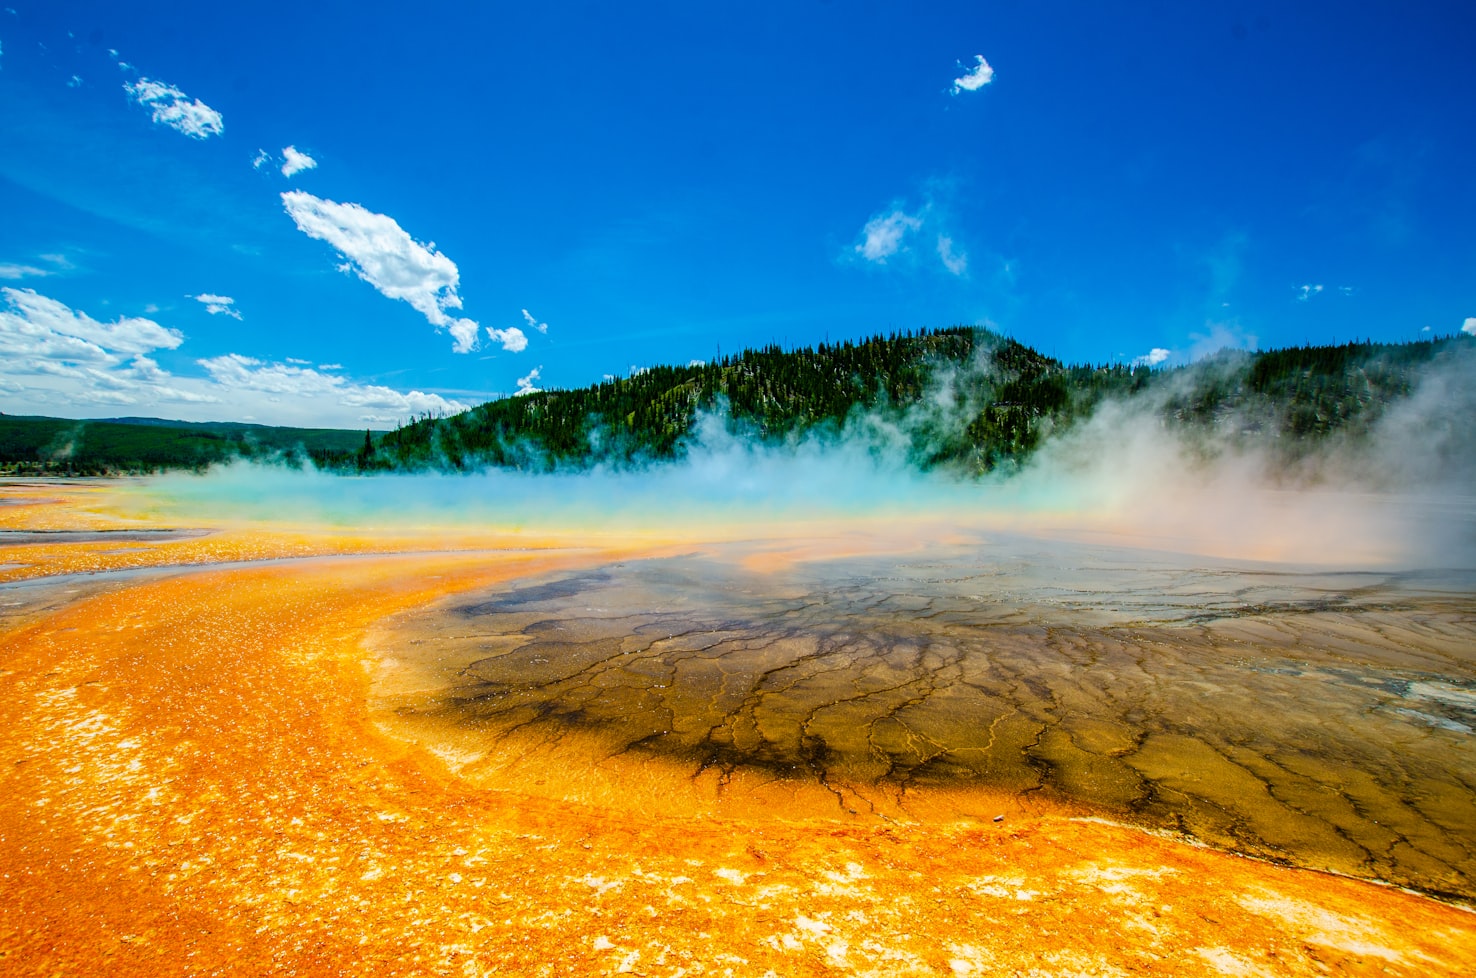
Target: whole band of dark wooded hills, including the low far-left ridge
(960, 399)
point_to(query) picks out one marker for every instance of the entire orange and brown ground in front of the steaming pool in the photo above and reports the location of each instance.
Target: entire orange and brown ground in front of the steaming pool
(247, 750)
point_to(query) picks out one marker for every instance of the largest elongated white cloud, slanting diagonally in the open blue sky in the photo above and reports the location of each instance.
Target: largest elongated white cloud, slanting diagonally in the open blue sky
(384, 256)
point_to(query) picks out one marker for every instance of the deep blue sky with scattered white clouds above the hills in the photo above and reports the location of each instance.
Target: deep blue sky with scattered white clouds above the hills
(506, 198)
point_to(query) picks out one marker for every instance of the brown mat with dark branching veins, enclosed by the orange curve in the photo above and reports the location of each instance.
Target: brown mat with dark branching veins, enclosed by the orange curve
(1323, 719)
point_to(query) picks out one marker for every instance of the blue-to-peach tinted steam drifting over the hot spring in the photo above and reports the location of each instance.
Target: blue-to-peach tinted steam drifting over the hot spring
(1400, 498)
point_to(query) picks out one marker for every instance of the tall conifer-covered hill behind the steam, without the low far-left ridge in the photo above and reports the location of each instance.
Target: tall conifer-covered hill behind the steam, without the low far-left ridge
(962, 399)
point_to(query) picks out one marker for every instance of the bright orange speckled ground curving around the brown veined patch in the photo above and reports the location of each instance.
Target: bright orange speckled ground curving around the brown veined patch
(191, 785)
